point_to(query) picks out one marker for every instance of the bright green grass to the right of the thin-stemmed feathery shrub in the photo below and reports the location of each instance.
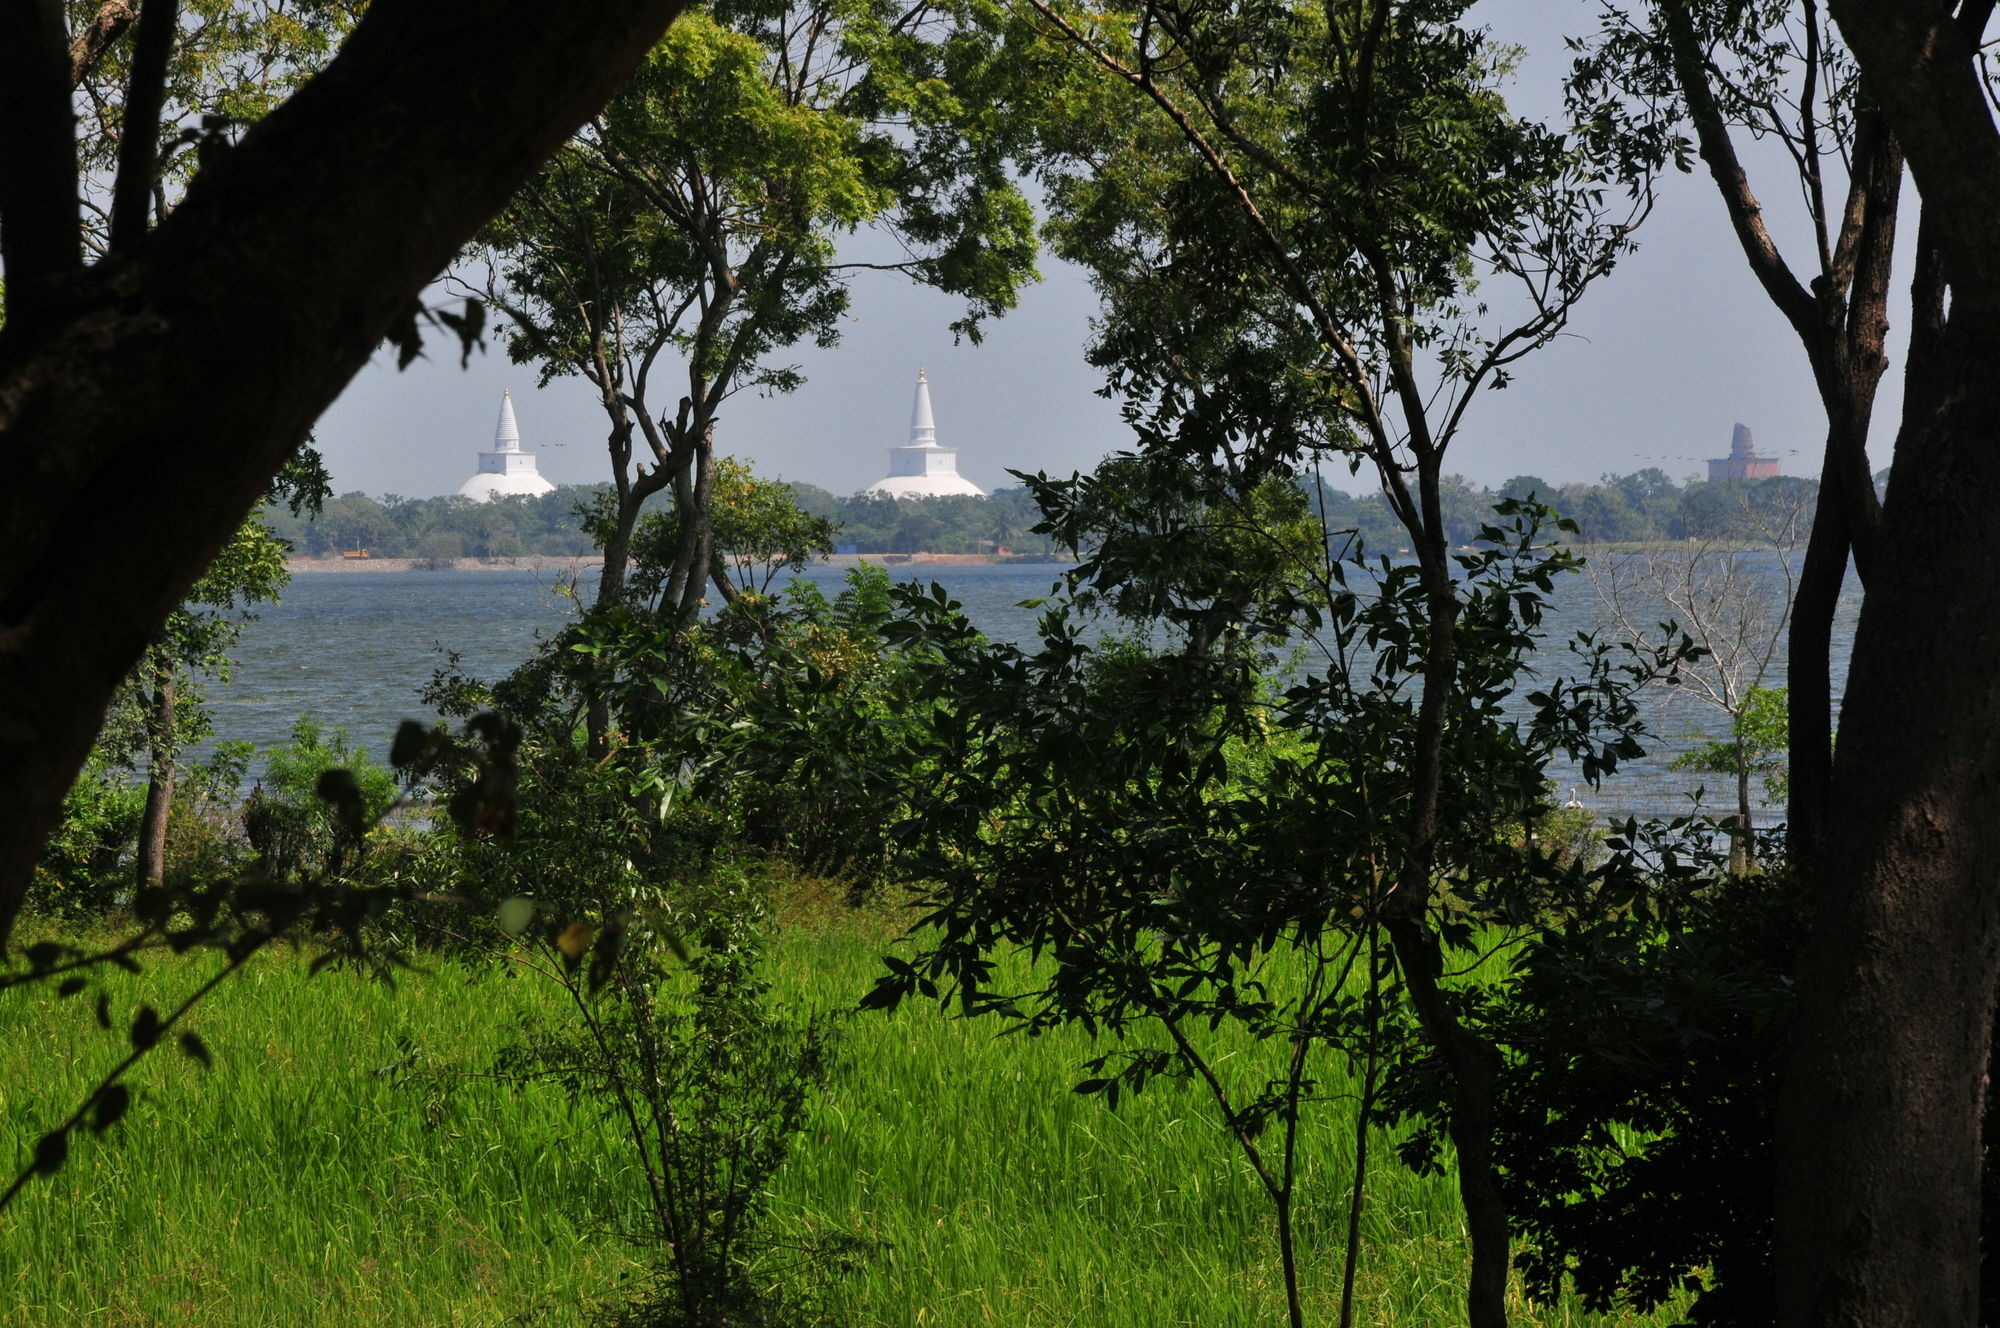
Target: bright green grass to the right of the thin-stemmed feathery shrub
(1007, 1199)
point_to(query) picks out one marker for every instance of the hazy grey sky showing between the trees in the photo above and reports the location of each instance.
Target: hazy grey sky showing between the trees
(1663, 359)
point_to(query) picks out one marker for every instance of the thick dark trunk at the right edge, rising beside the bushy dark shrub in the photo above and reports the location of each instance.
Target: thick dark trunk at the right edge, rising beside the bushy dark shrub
(1879, 1133)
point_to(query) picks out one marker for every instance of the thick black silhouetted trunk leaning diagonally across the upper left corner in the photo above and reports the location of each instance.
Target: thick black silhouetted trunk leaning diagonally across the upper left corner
(149, 401)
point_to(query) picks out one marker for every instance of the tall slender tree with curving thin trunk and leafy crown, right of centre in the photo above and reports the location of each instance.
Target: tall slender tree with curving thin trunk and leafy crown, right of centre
(1293, 213)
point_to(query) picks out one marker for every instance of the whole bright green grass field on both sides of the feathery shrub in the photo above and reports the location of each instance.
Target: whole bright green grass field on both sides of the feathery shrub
(305, 1183)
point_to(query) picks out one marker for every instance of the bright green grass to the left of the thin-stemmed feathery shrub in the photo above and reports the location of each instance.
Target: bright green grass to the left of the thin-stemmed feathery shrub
(299, 1183)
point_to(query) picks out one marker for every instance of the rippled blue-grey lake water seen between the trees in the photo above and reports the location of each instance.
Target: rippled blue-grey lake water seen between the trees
(355, 651)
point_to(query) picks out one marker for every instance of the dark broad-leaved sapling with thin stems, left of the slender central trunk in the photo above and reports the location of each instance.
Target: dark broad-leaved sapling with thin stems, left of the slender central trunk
(1177, 849)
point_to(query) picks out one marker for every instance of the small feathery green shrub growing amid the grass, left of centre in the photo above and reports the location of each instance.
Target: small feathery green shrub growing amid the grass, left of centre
(705, 1081)
